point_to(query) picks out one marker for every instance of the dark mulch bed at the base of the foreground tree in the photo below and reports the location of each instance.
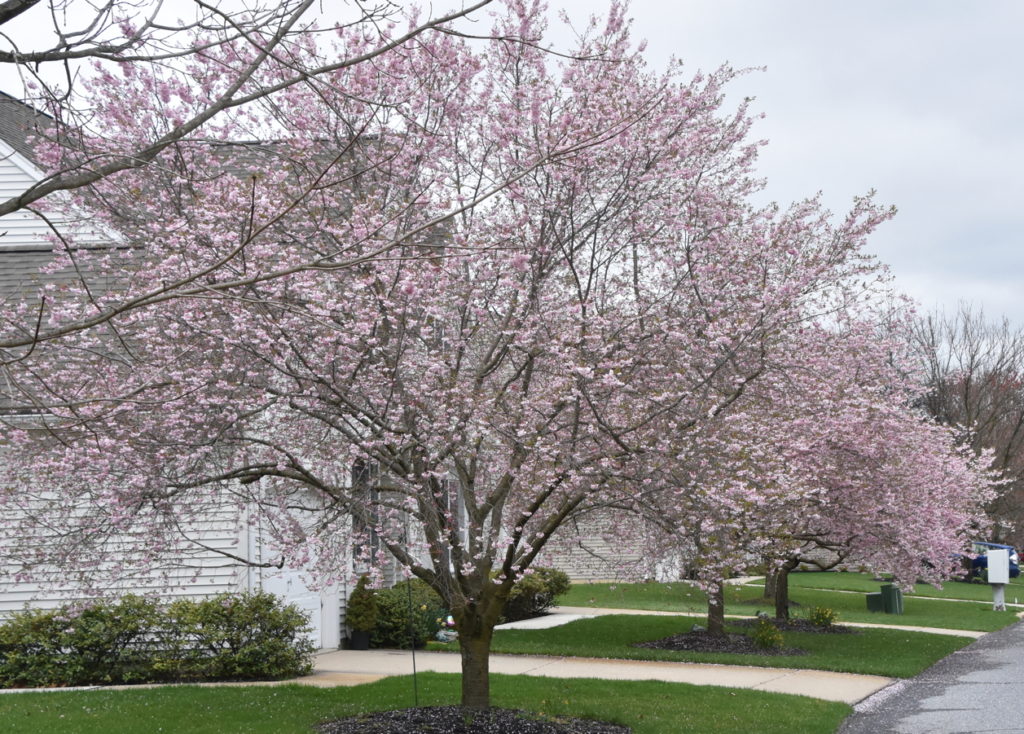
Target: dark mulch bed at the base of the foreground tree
(455, 720)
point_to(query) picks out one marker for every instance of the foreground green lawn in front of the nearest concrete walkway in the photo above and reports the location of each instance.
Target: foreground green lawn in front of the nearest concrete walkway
(651, 708)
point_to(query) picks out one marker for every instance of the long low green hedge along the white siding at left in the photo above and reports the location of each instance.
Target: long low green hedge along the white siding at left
(135, 640)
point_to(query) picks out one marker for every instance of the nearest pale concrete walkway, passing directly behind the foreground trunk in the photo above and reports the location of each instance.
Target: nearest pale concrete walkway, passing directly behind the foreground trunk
(352, 668)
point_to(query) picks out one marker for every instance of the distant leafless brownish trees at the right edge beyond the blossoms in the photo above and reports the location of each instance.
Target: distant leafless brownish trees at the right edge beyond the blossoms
(976, 380)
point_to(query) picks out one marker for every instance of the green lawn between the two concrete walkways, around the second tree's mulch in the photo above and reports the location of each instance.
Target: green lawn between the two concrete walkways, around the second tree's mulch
(871, 652)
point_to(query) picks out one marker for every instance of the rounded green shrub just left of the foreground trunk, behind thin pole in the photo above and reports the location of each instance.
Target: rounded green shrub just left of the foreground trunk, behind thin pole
(394, 621)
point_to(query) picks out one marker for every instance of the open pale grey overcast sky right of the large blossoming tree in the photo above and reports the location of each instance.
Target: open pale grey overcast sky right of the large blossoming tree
(922, 101)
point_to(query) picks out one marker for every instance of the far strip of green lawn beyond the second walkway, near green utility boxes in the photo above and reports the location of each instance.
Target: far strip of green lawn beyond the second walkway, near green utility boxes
(747, 600)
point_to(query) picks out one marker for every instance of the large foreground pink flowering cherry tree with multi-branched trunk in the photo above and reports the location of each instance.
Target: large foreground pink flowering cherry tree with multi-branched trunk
(494, 277)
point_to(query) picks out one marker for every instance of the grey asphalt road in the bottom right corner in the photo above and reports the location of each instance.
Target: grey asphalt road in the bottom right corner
(976, 690)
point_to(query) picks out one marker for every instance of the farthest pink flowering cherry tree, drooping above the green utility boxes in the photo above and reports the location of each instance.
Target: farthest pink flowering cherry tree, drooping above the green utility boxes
(895, 492)
